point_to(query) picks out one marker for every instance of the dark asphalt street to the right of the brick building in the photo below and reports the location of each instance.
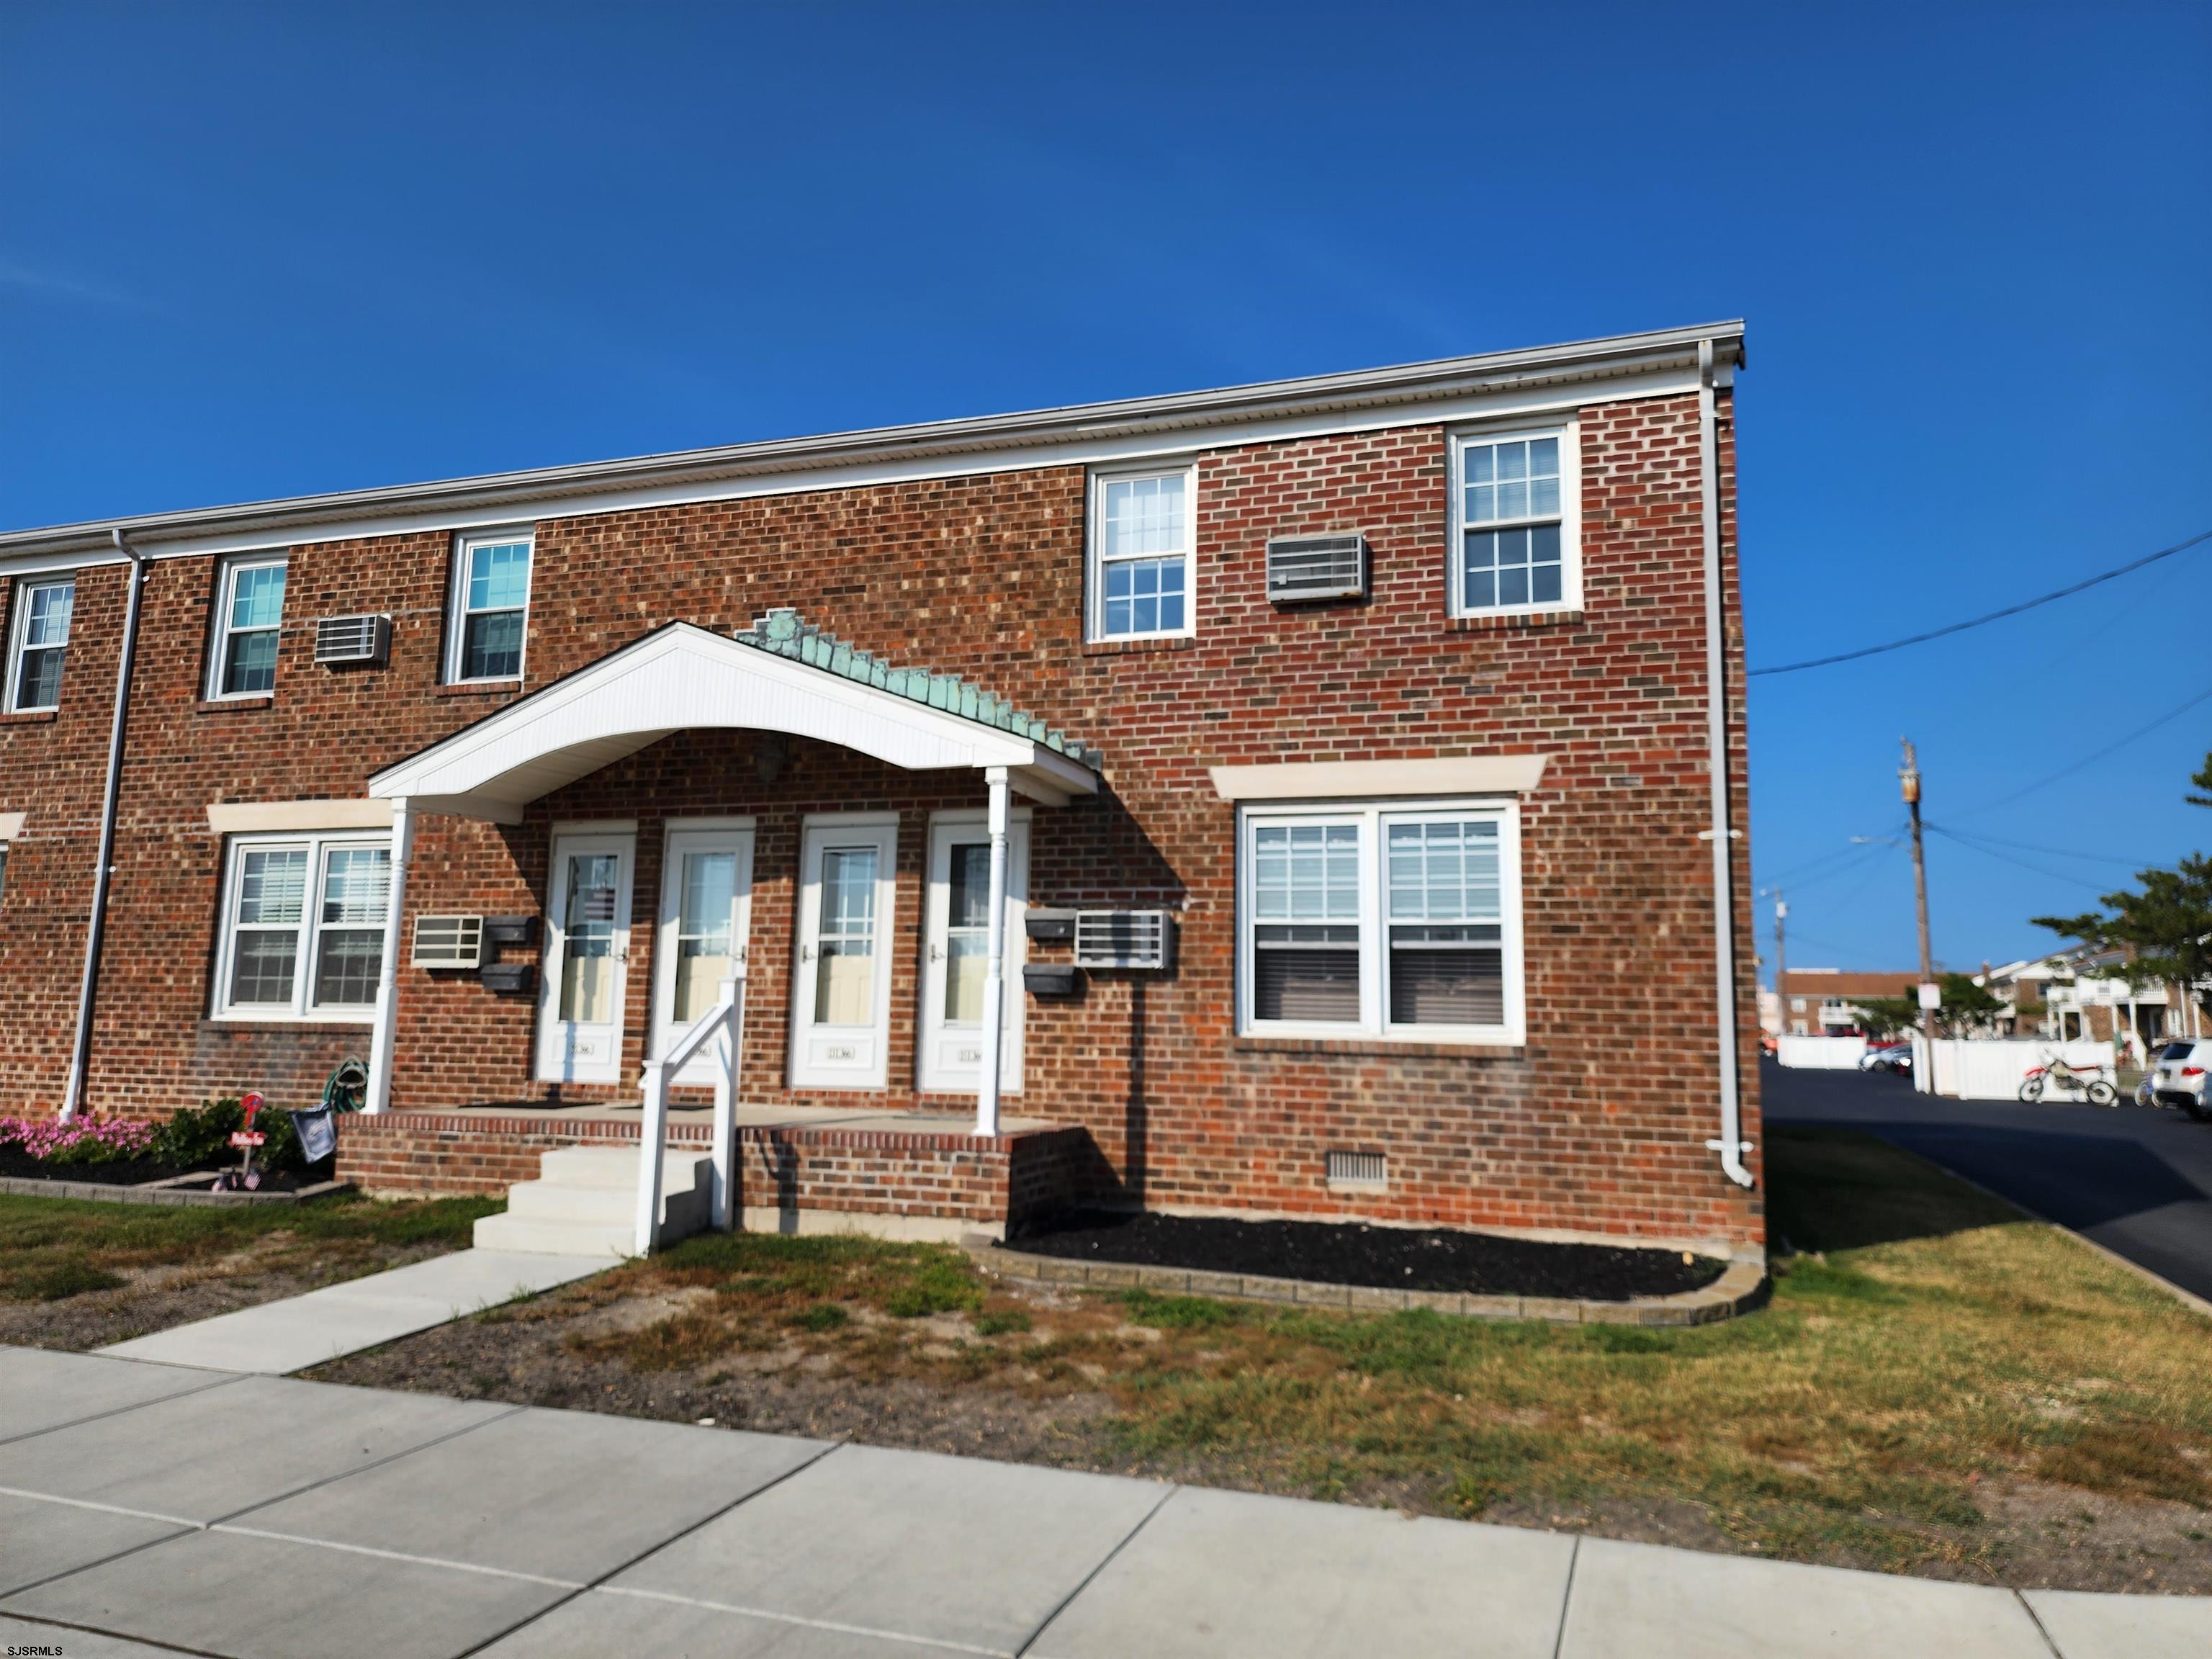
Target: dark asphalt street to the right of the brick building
(2136, 1180)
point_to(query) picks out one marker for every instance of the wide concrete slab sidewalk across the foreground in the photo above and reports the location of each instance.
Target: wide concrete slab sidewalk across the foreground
(273, 1519)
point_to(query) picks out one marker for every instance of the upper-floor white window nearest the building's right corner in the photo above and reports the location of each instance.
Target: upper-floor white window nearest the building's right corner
(1516, 521)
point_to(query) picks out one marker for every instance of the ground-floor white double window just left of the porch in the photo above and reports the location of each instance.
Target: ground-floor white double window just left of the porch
(304, 928)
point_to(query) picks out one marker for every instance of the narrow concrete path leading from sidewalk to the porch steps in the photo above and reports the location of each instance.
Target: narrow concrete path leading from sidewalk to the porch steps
(364, 1313)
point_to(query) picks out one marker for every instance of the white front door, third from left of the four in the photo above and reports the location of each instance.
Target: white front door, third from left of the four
(842, 994)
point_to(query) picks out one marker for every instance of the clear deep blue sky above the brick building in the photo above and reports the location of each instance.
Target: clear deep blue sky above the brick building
(260, 251)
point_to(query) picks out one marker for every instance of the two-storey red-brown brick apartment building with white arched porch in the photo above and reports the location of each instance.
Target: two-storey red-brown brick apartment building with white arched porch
(1439, 851)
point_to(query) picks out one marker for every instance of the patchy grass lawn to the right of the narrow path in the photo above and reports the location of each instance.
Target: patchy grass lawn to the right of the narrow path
(1939, 1386)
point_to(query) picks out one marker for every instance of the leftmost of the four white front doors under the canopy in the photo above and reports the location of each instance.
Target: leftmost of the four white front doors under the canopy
(585, 959)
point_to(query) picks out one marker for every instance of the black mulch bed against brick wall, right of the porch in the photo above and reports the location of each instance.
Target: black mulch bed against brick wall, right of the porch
(1335, 1253)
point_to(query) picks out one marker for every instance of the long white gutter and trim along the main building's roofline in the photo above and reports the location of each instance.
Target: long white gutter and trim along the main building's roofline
(1547, 377)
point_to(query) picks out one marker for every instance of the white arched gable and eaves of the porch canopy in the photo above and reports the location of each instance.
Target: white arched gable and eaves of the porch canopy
(689, 678)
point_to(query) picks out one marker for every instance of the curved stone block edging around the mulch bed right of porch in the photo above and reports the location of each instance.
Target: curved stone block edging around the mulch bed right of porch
(1742, 1288)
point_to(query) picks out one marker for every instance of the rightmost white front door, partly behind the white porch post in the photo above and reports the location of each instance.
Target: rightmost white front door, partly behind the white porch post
(959, 954)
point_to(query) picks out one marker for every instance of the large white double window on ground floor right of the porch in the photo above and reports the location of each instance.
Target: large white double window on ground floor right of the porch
(1381, 921)
